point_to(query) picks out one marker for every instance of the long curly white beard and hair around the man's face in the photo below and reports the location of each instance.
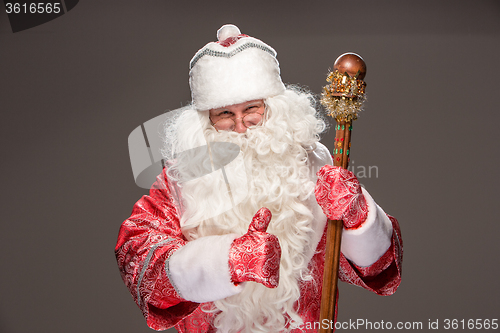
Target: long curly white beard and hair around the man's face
(274, 172)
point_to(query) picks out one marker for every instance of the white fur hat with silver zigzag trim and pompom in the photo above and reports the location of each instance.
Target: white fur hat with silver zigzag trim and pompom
(236, 69)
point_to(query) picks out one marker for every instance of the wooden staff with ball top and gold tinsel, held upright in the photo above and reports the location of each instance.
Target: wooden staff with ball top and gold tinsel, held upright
(343, 99)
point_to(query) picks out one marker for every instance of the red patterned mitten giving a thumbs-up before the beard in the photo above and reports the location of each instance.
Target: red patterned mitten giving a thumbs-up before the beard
(255, 256)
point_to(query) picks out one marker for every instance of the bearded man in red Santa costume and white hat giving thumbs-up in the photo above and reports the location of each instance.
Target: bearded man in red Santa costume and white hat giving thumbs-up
(232, 235)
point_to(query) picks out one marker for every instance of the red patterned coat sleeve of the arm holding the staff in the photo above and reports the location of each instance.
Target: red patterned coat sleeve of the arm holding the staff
(384, 276)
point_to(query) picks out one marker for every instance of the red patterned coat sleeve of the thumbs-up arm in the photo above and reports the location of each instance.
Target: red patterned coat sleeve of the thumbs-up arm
(145, 242)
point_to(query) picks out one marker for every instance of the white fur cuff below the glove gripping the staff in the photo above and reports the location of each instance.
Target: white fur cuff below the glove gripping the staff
(365, 245)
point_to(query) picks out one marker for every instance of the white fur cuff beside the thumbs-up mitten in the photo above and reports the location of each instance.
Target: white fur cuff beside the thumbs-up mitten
(200, 269)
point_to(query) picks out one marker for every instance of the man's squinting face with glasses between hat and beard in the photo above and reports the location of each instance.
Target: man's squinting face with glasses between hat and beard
(238, 117)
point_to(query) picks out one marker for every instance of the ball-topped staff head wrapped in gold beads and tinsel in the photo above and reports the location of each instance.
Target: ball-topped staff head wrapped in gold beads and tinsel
(345, 94)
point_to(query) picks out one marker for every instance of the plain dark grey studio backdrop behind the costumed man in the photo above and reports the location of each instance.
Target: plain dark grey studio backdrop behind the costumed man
(73, 89)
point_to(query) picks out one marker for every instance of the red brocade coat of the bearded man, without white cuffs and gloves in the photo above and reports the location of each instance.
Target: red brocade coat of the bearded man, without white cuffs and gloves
(152, 234)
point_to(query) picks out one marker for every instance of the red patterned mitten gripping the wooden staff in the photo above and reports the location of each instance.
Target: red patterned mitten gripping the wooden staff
(339, 194)
